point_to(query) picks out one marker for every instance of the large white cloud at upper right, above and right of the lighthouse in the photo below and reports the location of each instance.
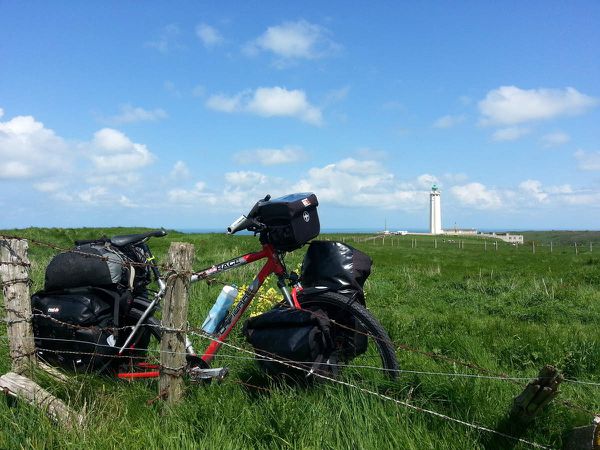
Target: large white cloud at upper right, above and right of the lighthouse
(510, 105)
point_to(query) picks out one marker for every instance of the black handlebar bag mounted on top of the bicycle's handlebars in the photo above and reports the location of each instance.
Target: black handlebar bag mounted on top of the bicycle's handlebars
(292, 220)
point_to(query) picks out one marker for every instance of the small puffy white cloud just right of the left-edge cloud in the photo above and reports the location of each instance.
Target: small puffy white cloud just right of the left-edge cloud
(113, 151)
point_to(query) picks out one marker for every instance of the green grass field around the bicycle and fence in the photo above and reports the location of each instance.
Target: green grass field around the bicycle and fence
(508, 310)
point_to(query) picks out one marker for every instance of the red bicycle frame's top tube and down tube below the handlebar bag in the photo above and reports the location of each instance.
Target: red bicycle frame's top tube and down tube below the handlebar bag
(273, 265)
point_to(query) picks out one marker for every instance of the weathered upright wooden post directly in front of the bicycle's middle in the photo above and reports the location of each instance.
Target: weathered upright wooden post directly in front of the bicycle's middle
(174, 320)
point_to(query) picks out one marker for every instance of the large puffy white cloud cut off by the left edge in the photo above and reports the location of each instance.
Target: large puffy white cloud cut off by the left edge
(28, 149)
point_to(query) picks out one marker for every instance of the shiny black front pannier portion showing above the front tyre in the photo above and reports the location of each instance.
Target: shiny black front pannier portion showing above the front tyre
(336, 266)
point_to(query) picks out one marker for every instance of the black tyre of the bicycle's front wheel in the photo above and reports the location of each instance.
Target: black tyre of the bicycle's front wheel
(349, 316)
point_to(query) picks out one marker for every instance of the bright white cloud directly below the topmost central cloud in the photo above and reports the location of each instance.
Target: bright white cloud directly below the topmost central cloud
(269, 102)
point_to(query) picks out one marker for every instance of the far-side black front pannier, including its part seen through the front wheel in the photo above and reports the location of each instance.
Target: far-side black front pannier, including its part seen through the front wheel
(340, 268)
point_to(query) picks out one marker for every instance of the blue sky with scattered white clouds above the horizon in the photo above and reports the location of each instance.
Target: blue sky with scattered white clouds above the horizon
(183, 114)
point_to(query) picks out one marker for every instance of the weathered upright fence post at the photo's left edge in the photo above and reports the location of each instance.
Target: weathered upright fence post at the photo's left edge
(14, 274)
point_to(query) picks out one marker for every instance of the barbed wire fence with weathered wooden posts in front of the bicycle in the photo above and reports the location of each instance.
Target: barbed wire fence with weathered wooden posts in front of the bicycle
(172, 363)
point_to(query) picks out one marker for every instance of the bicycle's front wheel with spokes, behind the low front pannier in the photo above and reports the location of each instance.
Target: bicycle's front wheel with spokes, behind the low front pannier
(363, 347)
